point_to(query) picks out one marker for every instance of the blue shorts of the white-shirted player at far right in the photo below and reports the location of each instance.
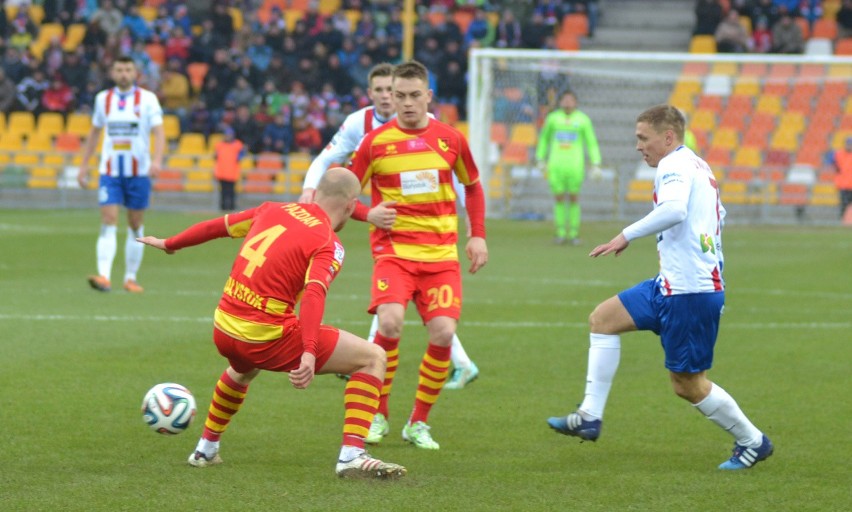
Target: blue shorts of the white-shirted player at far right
(687, 324)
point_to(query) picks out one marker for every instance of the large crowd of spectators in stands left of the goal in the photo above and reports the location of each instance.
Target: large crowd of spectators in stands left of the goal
(280, 89)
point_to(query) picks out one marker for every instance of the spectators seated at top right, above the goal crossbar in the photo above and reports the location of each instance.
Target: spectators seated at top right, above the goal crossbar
(773, 23)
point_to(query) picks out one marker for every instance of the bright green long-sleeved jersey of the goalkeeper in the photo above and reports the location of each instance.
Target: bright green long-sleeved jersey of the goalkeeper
(562, 139)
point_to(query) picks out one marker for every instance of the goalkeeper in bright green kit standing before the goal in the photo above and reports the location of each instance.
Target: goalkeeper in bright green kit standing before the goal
(560, 152)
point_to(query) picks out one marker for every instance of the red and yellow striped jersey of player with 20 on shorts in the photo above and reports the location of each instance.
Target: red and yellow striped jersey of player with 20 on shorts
(415, 169)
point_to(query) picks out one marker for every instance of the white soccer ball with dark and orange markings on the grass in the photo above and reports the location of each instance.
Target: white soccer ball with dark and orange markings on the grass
(168, 408)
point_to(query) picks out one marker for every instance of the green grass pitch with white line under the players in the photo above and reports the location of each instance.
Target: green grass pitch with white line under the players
(76, 364)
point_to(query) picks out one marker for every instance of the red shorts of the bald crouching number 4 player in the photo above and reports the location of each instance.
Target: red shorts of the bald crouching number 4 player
(281, 355)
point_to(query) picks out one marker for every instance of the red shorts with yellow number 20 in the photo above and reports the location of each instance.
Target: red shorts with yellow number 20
(434, 287)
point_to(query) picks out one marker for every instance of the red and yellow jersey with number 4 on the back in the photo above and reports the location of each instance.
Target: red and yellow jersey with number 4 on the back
(287, 246)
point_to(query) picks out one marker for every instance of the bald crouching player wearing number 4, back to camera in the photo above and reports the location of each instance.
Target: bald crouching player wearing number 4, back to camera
(290, 254)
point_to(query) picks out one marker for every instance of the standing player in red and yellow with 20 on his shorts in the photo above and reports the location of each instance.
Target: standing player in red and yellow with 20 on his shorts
(409, 163)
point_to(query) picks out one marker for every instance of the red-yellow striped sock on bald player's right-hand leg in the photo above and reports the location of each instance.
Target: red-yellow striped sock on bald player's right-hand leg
(360, 402)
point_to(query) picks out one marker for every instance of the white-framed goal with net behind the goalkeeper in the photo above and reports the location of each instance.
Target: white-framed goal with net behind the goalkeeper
(766, 124)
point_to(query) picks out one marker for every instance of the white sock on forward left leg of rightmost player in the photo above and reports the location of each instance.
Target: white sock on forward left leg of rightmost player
(604, 355)
